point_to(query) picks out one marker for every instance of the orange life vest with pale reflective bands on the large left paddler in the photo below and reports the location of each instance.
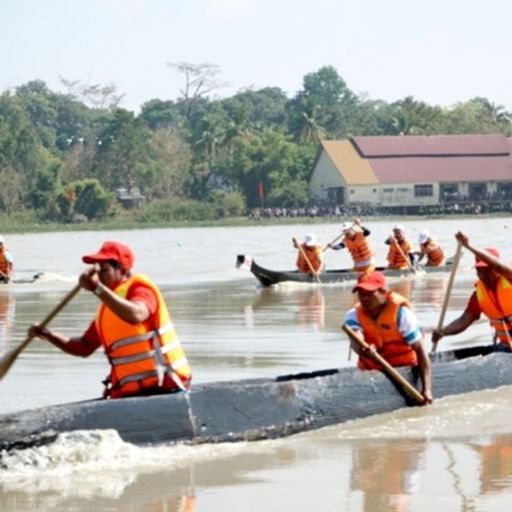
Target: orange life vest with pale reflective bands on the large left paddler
(137, 351)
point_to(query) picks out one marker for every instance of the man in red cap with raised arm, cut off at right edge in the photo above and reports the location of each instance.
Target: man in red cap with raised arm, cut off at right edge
(492, 296)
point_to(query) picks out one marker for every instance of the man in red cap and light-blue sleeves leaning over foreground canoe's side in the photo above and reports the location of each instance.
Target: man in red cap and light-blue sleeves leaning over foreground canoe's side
(390, 327)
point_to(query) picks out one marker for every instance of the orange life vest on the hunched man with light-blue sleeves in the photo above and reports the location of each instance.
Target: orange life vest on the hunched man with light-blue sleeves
(383, 333)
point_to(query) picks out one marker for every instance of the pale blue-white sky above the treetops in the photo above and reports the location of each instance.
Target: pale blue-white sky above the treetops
(438, 51)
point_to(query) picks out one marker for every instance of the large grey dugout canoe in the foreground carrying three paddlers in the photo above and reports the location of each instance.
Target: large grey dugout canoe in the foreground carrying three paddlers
(257, 408)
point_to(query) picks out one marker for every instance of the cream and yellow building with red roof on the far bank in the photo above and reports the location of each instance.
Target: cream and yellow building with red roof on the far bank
(413, 170)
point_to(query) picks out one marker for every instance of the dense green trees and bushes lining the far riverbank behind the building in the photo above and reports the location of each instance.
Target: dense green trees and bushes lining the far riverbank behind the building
(79, 156)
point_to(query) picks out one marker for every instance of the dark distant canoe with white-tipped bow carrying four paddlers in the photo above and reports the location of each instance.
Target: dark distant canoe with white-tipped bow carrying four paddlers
(269, 277)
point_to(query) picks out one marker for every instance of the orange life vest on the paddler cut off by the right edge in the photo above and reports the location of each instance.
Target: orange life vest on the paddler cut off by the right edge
(497, 306)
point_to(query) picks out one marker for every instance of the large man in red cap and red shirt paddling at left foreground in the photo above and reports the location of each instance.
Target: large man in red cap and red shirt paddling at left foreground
(133, 325)
